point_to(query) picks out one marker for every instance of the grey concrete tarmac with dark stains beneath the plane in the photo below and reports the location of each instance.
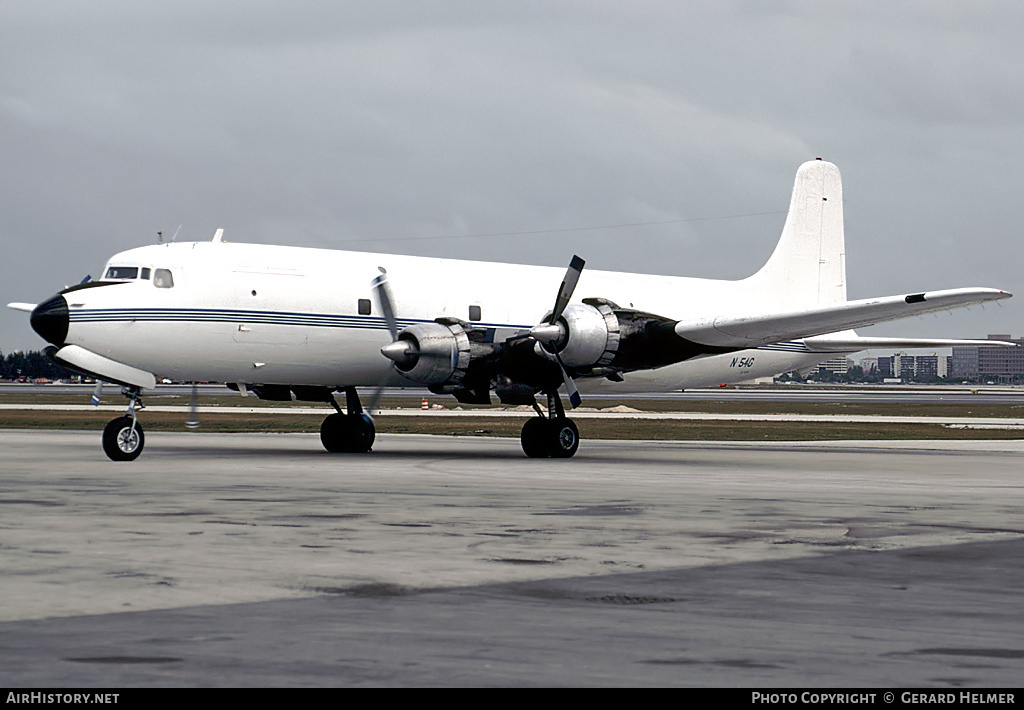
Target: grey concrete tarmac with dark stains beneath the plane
(262, 561)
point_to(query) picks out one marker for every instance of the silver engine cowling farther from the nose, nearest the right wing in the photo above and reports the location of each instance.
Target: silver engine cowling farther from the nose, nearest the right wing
(589, 337)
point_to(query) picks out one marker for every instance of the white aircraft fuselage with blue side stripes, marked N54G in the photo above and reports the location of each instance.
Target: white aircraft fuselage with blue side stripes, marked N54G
(259, 314)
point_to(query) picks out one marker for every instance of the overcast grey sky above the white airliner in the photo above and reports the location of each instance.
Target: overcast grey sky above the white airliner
(441, 129)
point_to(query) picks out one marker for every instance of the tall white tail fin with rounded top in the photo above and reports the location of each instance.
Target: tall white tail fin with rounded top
(808, 267)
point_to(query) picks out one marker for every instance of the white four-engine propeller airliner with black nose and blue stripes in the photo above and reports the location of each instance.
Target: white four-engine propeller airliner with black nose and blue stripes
(284, 321)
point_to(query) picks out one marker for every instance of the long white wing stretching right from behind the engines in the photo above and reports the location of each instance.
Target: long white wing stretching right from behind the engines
(763, 329)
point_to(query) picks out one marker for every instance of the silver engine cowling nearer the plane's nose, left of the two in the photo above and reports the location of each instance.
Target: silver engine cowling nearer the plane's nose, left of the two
(439, 354)
